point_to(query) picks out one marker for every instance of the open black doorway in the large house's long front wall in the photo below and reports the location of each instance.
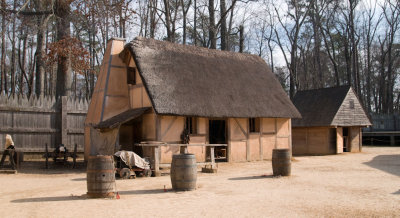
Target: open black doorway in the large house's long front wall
(217, 135)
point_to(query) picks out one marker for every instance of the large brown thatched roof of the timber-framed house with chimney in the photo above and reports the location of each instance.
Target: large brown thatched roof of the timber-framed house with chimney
(193, 81)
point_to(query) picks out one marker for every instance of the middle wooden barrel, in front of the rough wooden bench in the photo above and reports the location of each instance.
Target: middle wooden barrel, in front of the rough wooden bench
(183, 172)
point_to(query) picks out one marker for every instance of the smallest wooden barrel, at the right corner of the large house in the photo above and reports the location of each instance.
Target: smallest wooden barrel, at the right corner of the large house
(281, 163)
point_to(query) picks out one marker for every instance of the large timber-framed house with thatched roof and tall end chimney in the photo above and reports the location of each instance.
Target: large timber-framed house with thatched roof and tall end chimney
(151, 92)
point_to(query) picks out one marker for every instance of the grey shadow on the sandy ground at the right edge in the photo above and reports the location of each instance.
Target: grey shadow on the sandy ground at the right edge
(386, 163)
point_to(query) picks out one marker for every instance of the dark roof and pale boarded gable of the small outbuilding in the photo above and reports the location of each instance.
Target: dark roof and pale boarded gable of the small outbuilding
(329, 107)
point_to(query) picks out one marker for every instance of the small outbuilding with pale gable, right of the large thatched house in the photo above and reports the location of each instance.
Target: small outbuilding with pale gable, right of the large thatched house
(331, 121)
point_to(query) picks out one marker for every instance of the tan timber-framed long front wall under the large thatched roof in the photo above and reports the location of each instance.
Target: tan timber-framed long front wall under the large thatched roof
(242, 145)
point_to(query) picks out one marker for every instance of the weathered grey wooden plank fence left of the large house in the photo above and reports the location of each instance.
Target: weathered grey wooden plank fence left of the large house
(36, 121)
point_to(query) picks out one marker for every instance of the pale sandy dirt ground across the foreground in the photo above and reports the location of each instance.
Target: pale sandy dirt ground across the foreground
(363, 184)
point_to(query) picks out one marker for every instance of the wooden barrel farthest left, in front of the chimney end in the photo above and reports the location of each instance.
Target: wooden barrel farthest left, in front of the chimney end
(100, 176)
